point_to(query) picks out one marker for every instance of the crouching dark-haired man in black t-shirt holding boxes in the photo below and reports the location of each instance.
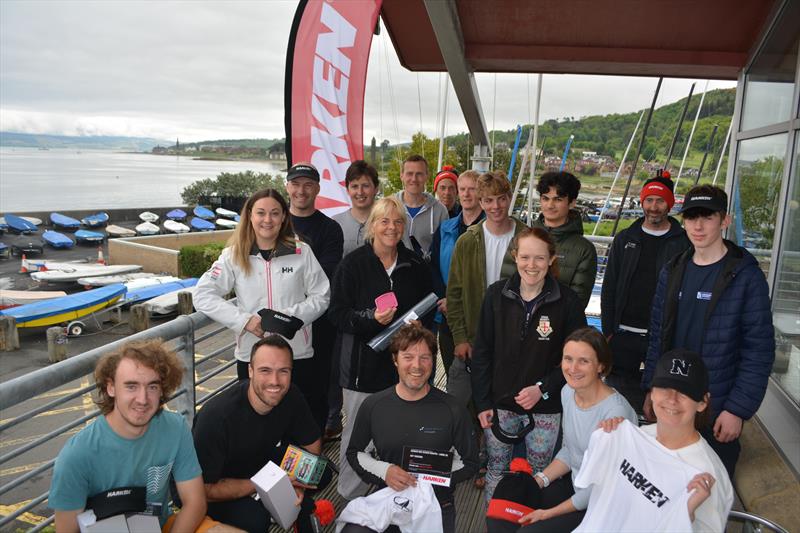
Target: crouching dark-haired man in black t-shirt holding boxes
(248, 425)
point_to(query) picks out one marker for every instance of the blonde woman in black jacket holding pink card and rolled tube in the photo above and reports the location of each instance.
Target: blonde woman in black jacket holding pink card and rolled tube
(373, 285)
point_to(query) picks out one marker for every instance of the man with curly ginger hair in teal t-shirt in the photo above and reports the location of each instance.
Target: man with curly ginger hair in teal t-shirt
(133, 443)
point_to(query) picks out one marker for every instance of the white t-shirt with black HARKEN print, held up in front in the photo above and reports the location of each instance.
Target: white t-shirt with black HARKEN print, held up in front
(637, 485)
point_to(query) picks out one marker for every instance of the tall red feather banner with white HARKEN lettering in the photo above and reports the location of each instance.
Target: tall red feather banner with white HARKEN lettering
(326, 71)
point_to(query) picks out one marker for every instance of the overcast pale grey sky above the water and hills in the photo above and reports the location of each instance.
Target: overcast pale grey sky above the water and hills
(201, 69)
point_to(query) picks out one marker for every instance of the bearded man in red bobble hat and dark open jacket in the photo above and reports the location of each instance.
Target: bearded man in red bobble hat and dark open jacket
(634, 261)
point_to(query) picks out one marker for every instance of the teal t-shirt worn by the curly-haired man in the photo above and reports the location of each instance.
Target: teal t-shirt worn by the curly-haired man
(97, 459)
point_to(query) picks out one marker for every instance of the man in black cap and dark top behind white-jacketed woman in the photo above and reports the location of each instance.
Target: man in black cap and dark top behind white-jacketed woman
(326, 239)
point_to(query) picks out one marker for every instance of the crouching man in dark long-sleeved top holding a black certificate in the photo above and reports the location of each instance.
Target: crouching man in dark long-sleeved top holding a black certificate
(414, 414)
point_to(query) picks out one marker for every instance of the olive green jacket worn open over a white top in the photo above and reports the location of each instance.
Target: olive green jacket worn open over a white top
(466, 283)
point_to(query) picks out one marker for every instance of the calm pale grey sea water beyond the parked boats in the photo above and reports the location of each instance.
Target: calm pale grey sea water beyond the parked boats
(65, 179)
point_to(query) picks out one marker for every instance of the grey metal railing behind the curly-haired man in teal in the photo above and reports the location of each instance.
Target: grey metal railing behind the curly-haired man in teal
(20, 393)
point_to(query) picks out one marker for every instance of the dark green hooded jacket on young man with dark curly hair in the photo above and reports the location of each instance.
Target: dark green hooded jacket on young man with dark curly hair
(577, 257)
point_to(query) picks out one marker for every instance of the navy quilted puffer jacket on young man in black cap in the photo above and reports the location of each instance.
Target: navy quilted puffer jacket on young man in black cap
(738, 340)
